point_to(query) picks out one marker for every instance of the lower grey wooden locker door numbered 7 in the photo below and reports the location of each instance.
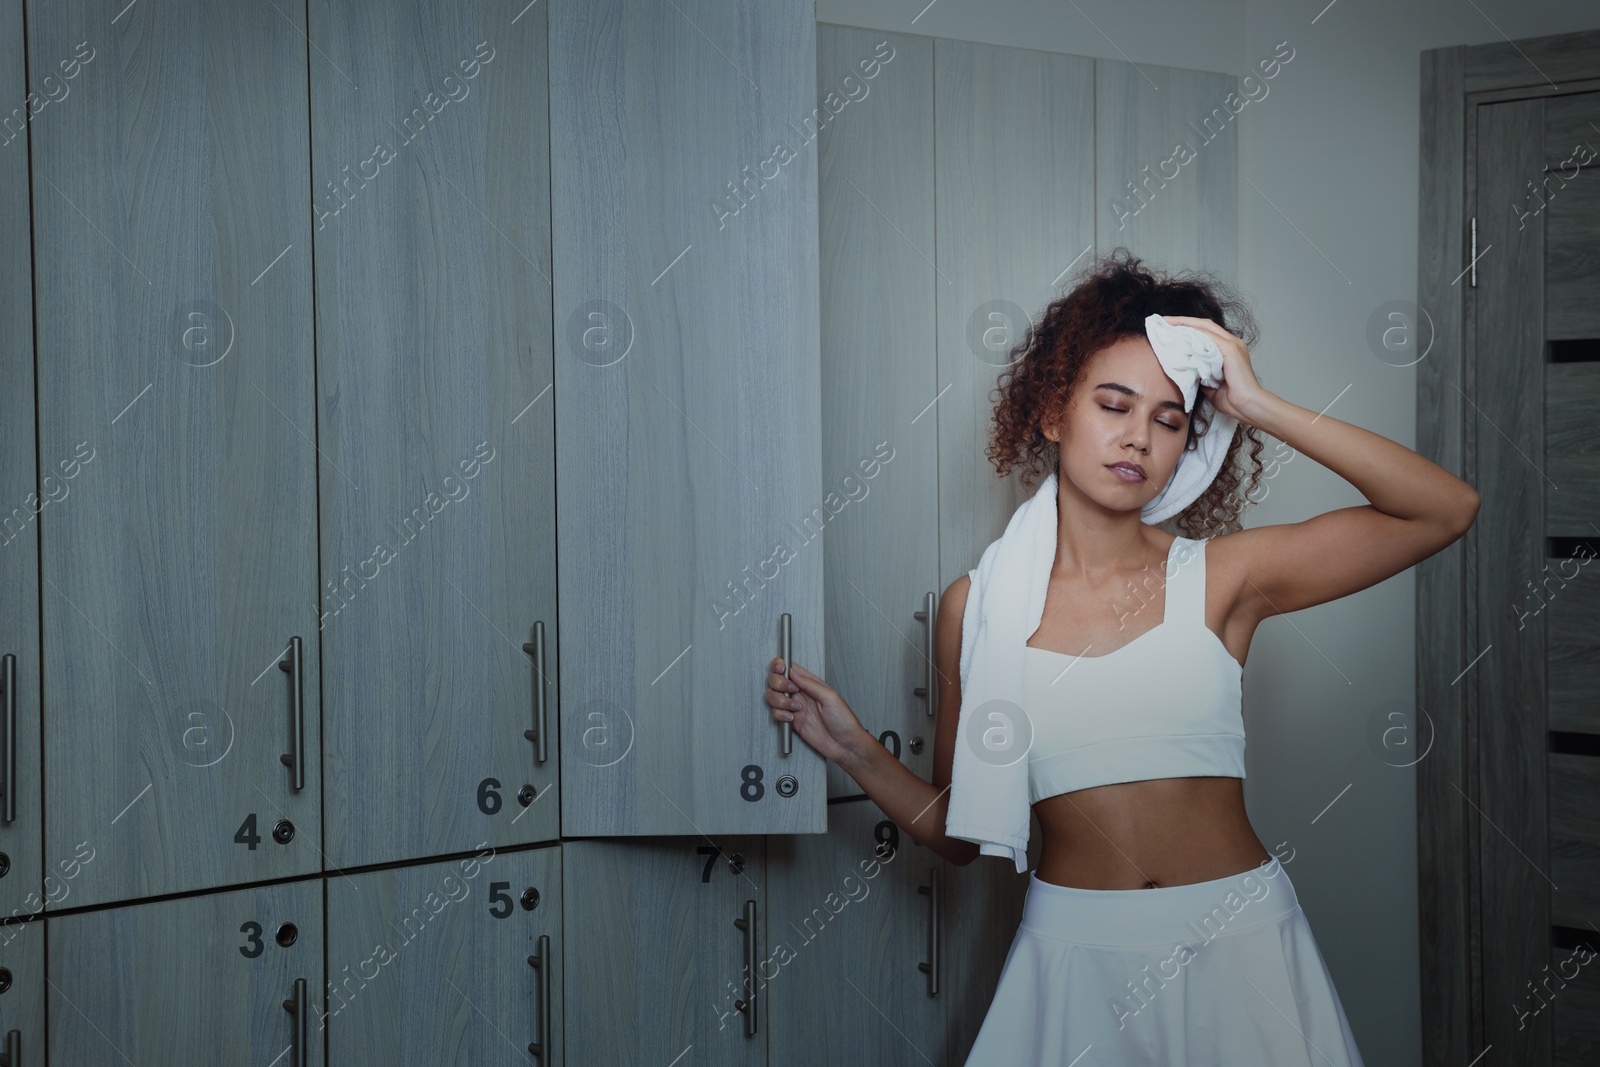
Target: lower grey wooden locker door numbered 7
(660, 953)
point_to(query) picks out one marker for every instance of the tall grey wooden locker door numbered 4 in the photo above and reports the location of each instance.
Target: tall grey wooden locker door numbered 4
(175, 362)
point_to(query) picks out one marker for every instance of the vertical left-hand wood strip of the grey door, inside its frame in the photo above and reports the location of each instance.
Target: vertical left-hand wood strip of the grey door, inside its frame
(1514, 823)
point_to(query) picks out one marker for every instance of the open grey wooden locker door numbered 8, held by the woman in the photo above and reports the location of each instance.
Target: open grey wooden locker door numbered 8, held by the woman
(692, 508)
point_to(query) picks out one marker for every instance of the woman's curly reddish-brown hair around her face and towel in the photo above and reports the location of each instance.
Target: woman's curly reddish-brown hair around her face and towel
(1110, 302)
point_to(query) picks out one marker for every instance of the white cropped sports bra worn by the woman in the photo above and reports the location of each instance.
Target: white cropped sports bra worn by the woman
(1167, 705)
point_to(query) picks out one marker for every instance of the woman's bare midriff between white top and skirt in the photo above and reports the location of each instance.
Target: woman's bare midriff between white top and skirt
(1140, 836)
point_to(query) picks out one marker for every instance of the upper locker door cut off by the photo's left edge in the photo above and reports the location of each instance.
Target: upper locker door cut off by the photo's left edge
(28, 490)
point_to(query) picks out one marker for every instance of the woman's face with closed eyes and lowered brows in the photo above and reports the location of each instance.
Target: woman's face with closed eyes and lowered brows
(1124, 410)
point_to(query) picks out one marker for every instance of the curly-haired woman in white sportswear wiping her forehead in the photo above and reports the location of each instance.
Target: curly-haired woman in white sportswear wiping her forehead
(1158, 929)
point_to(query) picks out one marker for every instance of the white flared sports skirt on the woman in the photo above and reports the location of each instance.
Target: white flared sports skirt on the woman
(1218, 973)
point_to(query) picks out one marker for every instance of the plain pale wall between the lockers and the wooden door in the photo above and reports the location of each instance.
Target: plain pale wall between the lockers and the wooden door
(1329, 188)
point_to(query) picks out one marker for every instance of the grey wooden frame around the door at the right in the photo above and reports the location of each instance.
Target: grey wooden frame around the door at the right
(1455, 81)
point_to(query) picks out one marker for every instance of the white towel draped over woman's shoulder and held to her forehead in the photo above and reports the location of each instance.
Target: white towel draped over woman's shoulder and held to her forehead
(990, 801)
